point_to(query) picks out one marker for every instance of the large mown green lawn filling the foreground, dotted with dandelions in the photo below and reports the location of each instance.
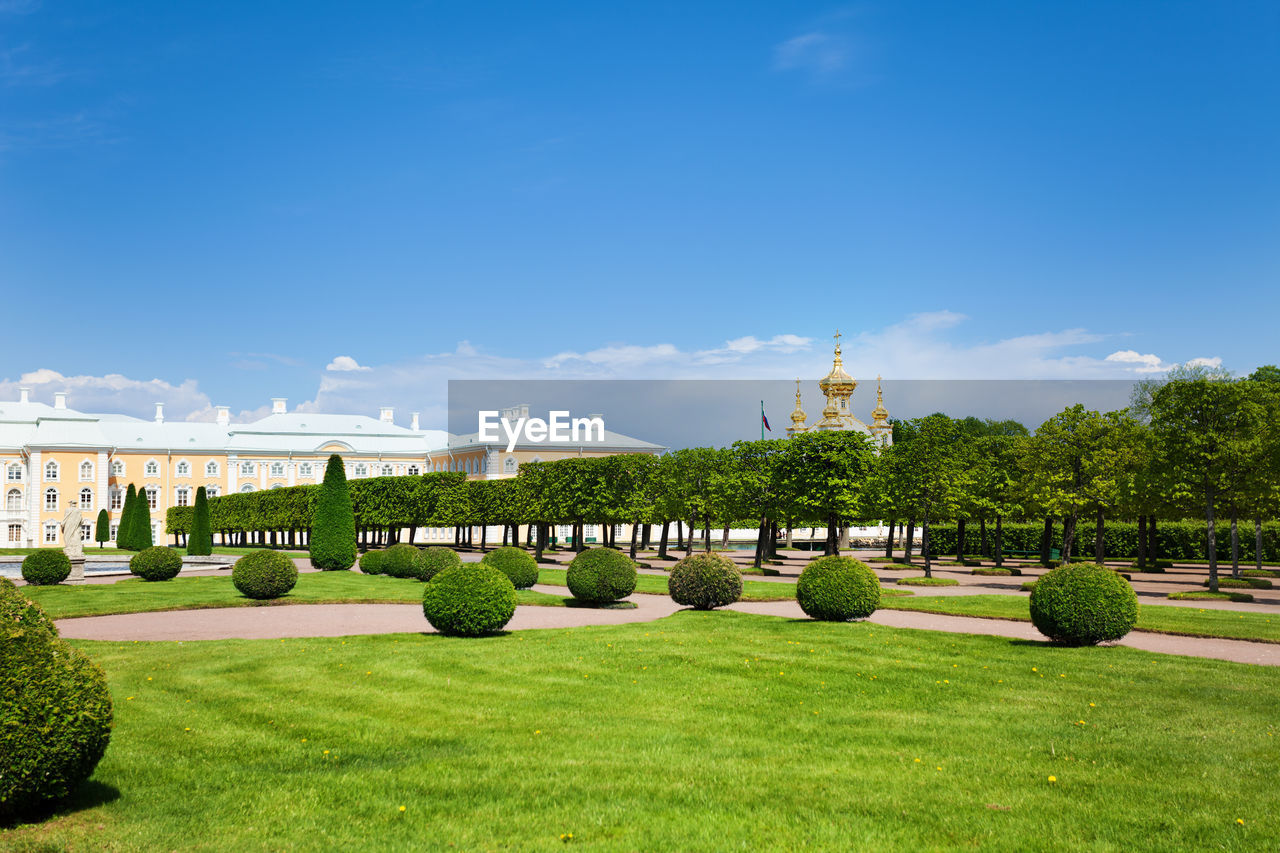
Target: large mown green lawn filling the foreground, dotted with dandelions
(703, 732)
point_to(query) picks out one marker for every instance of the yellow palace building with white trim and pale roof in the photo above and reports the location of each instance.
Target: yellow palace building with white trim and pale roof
(54, 455)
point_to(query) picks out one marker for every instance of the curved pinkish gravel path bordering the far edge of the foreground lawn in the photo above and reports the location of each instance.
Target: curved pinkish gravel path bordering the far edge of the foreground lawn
(345, 621)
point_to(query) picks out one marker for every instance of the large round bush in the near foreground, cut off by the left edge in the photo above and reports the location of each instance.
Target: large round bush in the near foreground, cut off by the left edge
(56, 711)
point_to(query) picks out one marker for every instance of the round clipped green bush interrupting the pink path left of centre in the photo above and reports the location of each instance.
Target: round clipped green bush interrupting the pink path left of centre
(469, 600)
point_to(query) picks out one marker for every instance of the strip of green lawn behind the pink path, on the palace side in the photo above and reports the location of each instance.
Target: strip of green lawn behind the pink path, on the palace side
(135, 596)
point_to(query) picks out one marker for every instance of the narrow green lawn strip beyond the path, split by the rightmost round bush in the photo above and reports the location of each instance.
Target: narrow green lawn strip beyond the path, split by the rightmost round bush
(1162, 619)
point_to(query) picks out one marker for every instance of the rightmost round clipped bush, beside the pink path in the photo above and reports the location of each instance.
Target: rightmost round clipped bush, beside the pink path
(1084, 605)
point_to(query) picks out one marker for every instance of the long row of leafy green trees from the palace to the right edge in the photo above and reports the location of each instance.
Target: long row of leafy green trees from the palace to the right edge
(1201, 444)
